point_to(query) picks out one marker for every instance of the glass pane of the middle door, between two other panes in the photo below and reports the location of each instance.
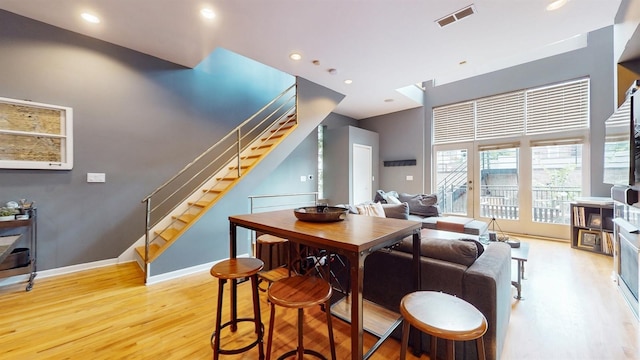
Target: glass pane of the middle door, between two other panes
(499, 194)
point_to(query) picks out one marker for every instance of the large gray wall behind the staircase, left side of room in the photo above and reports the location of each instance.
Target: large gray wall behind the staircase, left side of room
(136, 118)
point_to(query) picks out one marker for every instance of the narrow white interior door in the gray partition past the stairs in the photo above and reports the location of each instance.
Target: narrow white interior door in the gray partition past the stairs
(362, 174)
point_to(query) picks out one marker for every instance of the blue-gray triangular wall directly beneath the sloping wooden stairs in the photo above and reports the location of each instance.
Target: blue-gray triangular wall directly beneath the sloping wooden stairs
(208, 239)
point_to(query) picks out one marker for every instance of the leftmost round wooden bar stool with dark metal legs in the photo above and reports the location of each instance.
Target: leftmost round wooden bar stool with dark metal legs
(234, 269)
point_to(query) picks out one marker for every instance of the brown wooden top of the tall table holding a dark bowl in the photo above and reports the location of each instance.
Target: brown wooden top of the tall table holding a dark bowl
(354, 234)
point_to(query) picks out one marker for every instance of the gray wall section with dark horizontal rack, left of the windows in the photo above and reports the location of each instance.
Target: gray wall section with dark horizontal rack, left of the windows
(401, 138)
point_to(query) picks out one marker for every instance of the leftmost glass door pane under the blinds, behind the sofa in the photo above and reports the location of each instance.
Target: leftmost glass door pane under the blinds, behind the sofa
(452, 180)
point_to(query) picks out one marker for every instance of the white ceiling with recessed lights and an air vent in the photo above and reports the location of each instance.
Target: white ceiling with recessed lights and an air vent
(382, 45)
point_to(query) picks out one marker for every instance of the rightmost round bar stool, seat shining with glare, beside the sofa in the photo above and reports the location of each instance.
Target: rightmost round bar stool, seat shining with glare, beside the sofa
(442, 316)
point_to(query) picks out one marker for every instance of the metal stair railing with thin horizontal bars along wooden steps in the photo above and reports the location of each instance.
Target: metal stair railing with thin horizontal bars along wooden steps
(162, 201)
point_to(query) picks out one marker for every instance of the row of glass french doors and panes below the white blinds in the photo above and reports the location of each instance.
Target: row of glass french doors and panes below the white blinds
(516, 187)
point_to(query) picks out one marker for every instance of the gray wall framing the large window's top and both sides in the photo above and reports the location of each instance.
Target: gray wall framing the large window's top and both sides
(595, 61)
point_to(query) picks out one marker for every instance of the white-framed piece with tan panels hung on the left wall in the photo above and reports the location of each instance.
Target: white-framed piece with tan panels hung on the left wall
(35, 135)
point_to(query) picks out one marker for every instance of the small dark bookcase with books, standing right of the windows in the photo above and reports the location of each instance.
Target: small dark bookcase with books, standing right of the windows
(592, 227)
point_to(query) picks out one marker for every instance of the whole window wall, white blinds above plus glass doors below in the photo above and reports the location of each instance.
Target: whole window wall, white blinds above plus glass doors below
(528, 137)
